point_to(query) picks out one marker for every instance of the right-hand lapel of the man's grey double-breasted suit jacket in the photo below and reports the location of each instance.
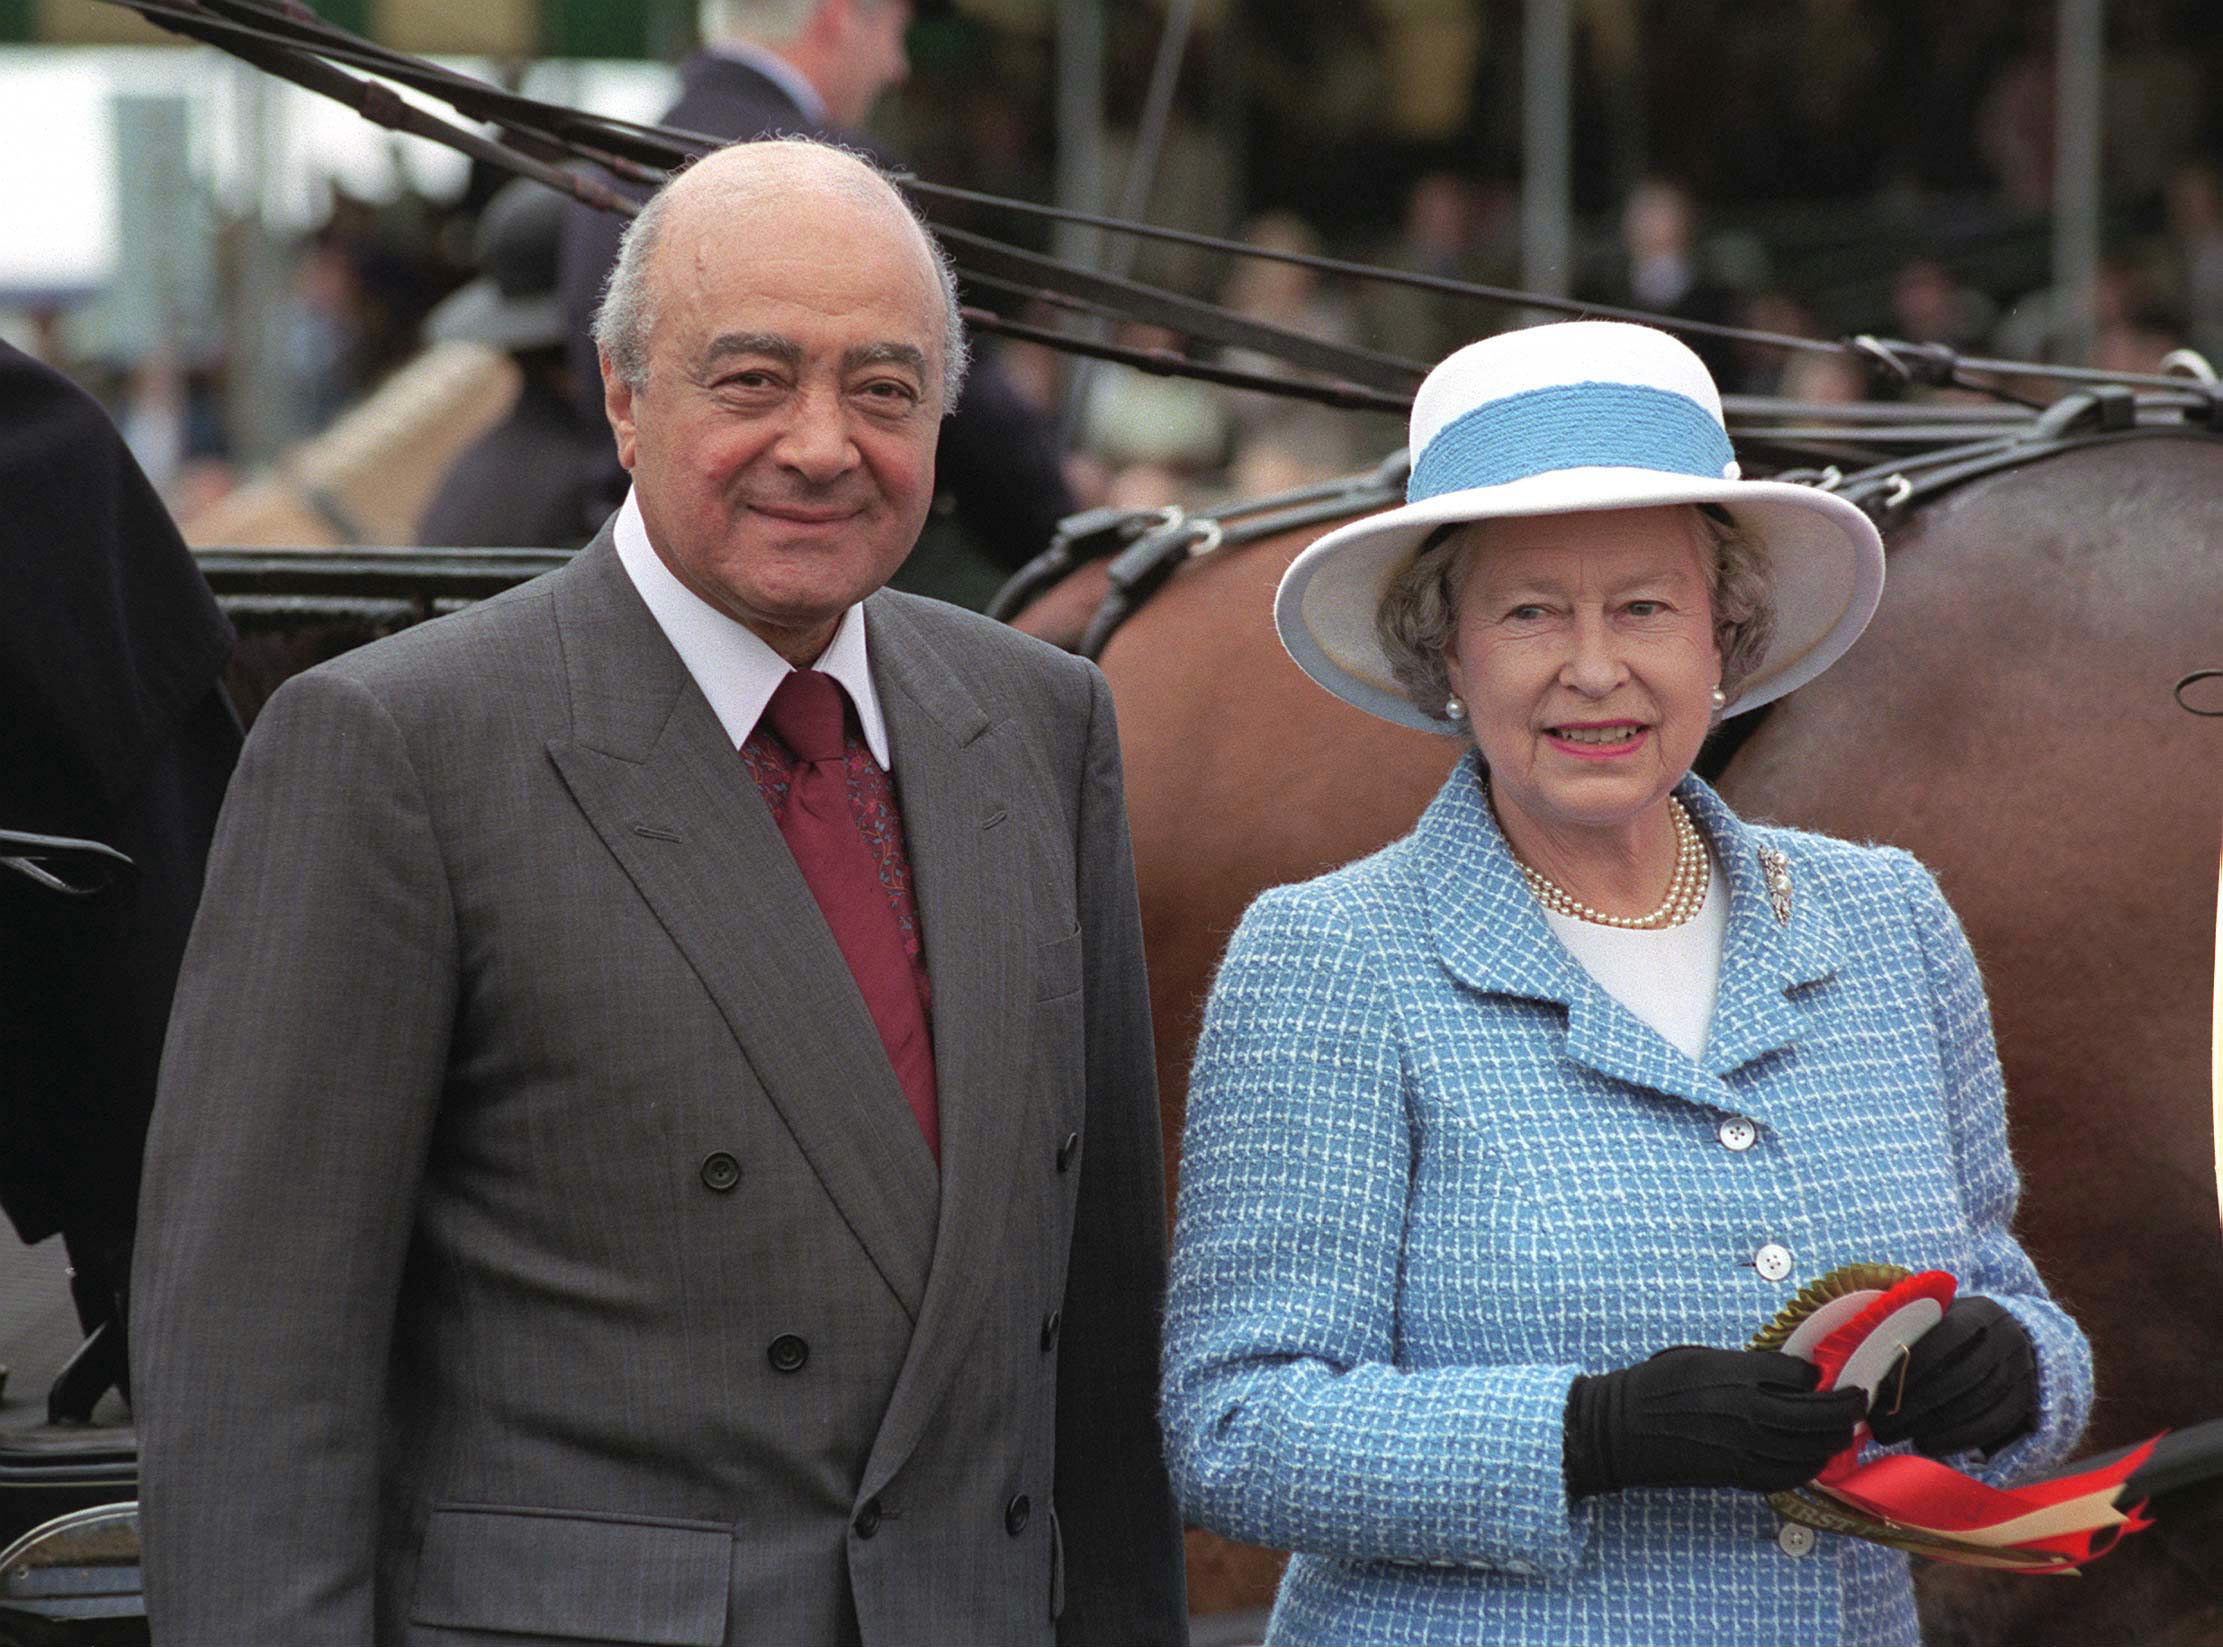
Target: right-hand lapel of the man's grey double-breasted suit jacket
(953, 788)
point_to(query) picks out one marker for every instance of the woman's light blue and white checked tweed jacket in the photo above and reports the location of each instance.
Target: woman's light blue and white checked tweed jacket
(1433, 1172)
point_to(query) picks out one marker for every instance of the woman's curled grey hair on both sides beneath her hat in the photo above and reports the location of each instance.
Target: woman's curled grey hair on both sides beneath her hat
(1419, 610)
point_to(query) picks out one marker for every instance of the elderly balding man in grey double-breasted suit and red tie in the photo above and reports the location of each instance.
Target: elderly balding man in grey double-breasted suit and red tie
(659, 1139)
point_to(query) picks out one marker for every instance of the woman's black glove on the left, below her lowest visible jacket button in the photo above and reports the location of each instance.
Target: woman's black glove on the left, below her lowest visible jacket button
(1706, 1419)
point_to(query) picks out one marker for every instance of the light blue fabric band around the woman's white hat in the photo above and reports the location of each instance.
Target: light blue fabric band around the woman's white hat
(1575, 426)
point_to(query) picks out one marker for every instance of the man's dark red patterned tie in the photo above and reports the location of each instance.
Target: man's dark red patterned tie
(808, 715)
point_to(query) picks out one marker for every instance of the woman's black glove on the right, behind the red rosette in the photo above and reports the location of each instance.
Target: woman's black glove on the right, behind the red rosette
(1973, 1381)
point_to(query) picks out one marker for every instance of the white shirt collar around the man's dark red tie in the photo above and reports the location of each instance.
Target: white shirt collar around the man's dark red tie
(730, 663)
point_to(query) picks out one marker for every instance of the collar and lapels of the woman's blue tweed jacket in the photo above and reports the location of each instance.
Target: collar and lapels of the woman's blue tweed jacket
(1493, 937)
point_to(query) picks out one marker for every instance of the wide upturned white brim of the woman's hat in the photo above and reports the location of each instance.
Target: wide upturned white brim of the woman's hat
(1824, 555)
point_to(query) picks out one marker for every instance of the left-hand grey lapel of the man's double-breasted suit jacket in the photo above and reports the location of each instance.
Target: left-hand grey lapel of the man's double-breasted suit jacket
(672, 801)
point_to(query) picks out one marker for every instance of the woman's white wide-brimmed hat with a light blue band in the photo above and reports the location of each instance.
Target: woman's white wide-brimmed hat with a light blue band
(1588, 415)
